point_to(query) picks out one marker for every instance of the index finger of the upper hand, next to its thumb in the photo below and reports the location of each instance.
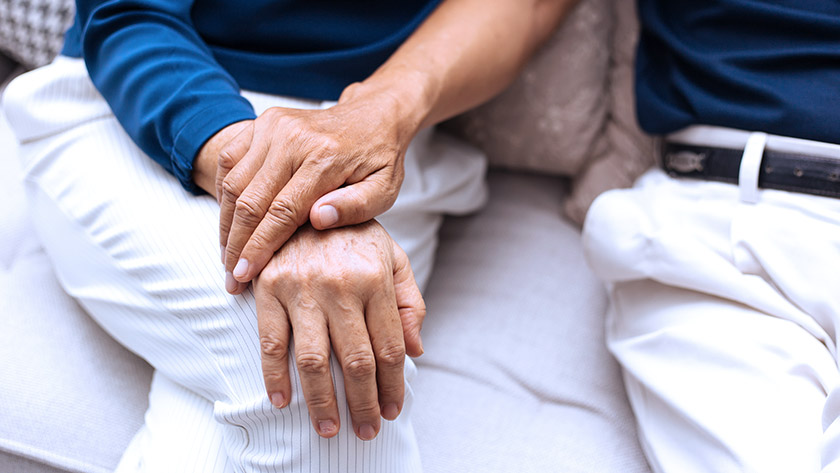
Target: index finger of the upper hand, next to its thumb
(288, 211)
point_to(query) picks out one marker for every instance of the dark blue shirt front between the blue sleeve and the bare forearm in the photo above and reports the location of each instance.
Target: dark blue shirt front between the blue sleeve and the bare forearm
(311, 49)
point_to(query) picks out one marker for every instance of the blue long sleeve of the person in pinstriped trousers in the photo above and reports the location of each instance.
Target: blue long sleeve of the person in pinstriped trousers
(159, 77)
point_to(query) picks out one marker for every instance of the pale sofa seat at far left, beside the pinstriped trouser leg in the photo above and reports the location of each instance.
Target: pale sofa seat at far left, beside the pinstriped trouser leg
(72, 397)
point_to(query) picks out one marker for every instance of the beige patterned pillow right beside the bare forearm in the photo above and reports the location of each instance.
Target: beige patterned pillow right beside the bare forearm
(549, 119)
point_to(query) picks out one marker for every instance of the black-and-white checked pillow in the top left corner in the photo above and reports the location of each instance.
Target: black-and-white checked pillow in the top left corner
(32, 31)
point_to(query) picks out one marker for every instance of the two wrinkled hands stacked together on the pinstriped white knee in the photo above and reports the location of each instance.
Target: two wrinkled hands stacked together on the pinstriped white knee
(349, 288)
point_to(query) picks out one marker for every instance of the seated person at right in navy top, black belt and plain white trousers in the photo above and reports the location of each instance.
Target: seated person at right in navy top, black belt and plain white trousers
(723, 264)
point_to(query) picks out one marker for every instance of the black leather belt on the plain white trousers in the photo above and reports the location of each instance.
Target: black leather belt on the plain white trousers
(793, 172)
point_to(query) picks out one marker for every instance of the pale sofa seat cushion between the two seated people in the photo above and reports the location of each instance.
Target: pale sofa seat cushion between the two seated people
(516, 376)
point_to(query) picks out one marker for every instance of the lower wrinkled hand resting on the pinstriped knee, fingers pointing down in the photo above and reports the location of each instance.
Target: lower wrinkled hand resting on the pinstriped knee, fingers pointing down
(350, 288)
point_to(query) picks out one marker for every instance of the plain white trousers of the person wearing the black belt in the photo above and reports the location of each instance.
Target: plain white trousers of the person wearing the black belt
(724, 316)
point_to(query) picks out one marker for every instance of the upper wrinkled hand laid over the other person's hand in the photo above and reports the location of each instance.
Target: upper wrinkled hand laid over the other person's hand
(334, 167)
